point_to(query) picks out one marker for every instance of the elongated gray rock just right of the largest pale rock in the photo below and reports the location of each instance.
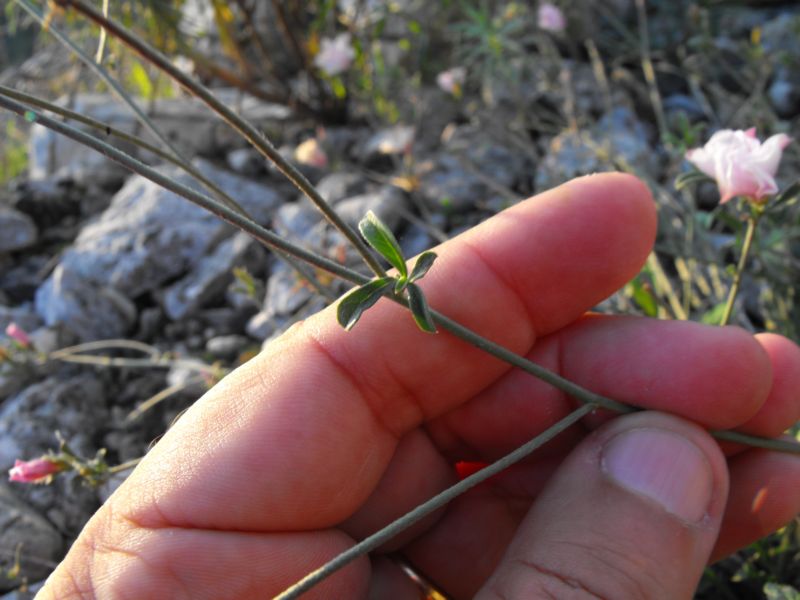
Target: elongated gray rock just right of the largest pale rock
(211, 276)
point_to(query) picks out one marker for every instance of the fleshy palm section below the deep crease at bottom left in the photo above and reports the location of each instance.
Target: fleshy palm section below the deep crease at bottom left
(127, 561)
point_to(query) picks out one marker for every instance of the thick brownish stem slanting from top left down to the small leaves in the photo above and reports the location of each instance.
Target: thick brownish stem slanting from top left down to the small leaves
(248, 131)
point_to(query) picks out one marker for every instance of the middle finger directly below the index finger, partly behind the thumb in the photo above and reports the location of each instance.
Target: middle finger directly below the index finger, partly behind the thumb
(719, 377)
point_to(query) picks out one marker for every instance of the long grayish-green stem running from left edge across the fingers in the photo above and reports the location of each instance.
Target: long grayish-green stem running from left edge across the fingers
(273, 241)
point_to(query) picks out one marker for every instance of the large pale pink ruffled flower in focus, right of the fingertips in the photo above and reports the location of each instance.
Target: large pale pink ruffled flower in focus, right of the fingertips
(740, 163)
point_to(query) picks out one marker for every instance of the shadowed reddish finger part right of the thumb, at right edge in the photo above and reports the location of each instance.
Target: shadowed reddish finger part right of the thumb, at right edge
(764, 496)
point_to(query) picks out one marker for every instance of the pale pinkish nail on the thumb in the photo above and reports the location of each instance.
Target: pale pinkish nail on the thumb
(663, 466)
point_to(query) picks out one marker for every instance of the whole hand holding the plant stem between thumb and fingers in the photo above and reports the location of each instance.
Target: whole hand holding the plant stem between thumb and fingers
(328, 435)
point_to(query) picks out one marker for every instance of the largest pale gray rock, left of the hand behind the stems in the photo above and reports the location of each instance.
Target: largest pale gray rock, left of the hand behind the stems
(146, 237)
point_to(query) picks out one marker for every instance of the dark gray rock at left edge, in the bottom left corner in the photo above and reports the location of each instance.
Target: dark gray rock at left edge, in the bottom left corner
(41, 546)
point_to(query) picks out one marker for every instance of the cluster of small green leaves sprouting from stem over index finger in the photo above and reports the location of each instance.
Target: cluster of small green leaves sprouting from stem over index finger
(380, 237)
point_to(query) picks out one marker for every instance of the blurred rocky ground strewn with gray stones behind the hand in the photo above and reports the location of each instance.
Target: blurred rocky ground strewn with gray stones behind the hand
(88, 252)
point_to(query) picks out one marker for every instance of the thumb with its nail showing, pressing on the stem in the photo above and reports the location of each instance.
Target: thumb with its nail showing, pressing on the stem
(633, 512)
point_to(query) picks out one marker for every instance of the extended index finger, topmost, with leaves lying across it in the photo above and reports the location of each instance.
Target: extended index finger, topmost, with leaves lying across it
(299, 437)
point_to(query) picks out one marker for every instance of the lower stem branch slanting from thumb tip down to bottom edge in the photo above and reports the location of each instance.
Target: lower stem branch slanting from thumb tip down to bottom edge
(435, 503)
